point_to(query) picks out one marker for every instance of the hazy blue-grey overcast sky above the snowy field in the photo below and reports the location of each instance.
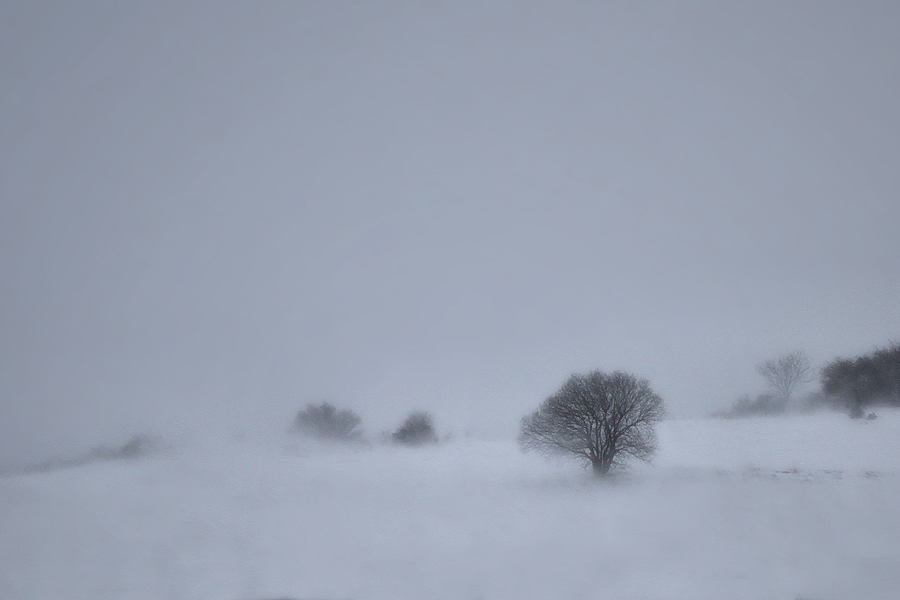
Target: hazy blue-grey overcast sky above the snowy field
(213, 214)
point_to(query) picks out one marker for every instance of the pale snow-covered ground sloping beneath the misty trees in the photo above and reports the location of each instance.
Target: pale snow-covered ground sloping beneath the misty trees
(763, 509)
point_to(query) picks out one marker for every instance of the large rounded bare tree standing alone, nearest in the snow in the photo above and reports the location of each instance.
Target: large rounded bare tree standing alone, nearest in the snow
(599, 417)
